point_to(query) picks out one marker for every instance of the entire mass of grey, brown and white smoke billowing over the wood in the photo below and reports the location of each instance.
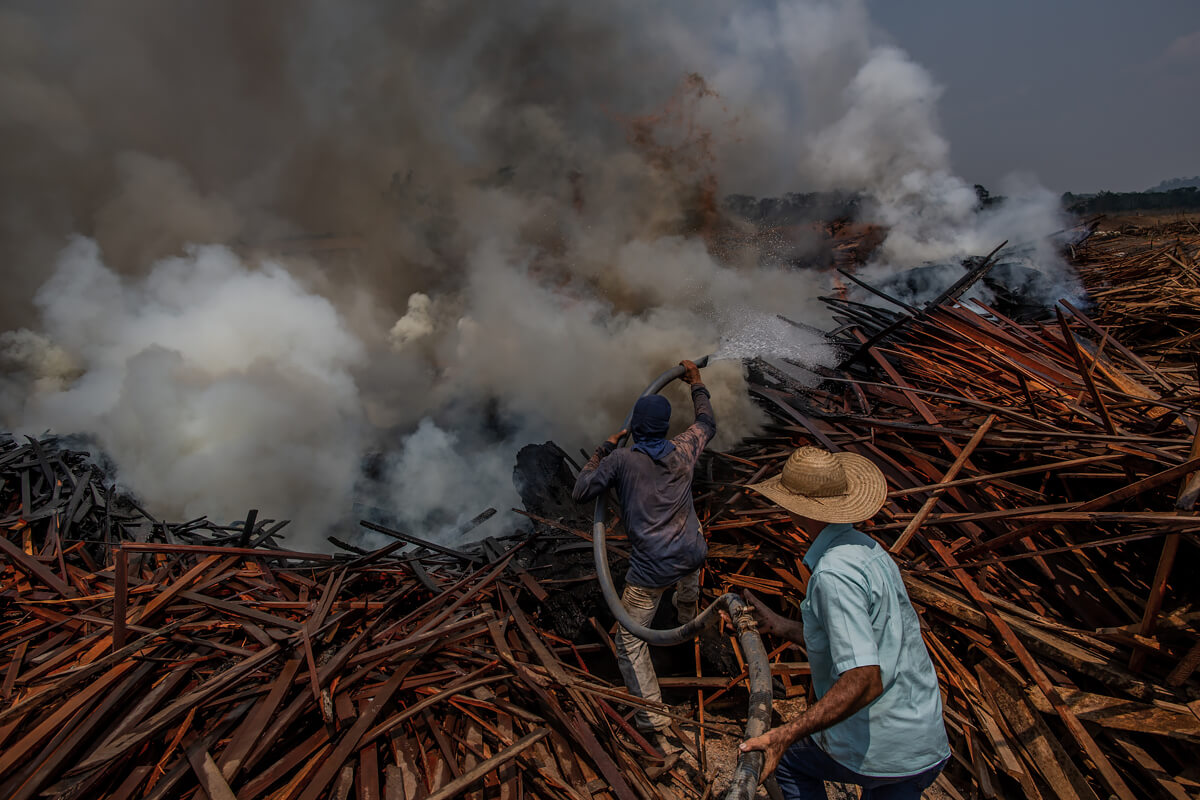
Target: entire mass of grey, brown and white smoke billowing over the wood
(307, 232)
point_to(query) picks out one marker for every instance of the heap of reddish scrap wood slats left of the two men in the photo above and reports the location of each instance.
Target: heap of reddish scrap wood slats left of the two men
(155, 670)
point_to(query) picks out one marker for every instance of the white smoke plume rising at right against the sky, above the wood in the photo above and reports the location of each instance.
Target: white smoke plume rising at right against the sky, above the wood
(883, 139)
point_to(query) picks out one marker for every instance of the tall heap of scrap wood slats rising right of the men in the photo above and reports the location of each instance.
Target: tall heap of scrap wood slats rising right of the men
(1042, 492)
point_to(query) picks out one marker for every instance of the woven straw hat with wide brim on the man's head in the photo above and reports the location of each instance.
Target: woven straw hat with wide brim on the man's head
(827, 488)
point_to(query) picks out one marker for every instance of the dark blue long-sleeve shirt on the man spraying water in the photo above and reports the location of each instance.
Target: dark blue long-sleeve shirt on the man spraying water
(656, 500)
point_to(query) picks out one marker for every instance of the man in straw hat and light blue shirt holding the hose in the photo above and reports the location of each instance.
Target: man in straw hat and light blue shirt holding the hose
(878, 720)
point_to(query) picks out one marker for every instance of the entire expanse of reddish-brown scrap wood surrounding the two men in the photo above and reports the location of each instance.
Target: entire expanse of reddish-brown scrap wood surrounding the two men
(1042, 508)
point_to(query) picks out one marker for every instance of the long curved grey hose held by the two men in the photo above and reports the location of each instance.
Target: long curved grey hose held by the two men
(749, 768)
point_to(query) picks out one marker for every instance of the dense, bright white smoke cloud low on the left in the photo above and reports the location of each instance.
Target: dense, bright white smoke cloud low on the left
(214, 388)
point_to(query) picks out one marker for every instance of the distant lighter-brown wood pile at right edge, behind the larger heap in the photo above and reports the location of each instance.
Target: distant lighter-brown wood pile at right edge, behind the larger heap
(1147, 287)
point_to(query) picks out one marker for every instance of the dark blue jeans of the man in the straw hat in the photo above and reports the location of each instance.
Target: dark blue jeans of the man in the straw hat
(806, 768)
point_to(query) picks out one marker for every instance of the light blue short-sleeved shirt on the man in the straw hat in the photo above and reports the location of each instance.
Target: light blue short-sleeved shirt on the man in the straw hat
(857, 613)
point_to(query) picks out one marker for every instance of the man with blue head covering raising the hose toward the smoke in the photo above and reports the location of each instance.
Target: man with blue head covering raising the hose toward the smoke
(653, 482)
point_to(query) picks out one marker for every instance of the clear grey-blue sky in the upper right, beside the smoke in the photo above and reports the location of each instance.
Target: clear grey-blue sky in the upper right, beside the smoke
(1088, 95)
